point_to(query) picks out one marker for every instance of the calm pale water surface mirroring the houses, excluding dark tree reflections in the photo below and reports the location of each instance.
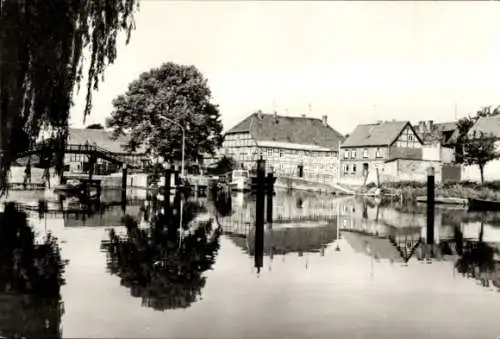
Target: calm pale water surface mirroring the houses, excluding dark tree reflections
(332, 267)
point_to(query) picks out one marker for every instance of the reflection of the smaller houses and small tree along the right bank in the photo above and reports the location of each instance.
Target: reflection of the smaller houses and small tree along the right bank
(471, 241)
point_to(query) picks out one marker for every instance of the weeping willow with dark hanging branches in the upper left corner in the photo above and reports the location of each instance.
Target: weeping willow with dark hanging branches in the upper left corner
(48, 48)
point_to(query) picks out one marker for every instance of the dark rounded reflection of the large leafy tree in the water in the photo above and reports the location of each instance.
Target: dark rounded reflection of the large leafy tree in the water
(165, 272)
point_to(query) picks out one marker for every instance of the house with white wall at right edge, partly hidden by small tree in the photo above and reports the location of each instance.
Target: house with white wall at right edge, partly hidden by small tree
(487, 126)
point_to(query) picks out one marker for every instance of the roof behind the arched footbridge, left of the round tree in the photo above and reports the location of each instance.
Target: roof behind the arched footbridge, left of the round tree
(100, 138)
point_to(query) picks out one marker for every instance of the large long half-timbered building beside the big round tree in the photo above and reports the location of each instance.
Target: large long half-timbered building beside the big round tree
(292, 146)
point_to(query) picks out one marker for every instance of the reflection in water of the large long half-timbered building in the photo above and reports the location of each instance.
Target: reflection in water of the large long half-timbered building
(303, 223)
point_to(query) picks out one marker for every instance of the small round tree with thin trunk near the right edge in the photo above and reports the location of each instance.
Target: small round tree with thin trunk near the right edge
(479, 151)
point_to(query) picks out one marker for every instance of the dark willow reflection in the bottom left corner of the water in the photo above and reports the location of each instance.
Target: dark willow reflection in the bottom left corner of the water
(31, 276)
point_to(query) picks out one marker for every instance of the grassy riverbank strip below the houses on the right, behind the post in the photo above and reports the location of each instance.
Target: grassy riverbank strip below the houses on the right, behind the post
(464, 189)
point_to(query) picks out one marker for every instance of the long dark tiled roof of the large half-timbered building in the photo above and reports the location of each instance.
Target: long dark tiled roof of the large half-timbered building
(290, 130)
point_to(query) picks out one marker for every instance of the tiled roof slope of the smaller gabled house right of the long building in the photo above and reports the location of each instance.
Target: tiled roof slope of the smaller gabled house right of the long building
(381, 134)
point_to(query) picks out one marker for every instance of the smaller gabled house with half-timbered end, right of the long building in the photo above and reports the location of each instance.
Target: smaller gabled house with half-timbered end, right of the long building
(370, 146)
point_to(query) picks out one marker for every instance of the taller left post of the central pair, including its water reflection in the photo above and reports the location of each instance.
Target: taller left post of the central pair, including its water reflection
(259, 214)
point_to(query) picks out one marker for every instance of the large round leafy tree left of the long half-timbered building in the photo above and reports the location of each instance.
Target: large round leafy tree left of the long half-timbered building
(178, 93)
